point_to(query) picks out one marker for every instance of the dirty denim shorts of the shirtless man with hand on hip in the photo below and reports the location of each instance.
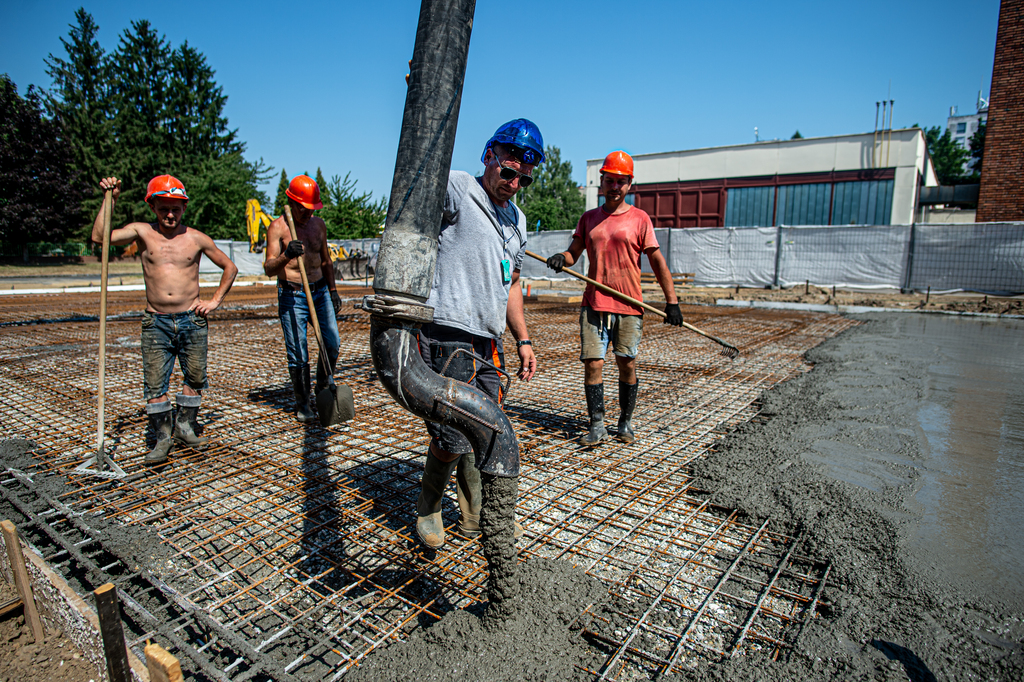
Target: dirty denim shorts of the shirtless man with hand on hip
(166, 336)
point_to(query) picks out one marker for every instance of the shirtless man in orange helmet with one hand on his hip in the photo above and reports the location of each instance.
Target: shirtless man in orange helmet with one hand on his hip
(175, 324)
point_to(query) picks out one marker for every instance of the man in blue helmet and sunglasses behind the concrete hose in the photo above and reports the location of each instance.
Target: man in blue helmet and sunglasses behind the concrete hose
(476, 295)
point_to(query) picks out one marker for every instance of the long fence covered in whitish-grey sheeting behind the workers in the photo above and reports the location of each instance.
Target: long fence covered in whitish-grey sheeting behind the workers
(982, 258)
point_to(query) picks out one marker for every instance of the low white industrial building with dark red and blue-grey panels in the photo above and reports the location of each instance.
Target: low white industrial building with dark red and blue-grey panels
(868, 179)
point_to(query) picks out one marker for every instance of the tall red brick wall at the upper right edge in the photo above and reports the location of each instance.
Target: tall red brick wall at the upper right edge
(1003, 167)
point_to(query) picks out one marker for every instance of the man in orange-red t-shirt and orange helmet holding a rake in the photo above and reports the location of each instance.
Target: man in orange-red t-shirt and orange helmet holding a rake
(615, 235)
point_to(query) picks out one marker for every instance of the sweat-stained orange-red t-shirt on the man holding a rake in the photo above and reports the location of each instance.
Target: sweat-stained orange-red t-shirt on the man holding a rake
(615, 244)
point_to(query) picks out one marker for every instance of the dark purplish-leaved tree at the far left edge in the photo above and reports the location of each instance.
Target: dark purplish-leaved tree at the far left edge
(40, 193)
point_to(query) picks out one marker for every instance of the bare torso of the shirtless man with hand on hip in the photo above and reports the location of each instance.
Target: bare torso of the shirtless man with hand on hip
(170, 266)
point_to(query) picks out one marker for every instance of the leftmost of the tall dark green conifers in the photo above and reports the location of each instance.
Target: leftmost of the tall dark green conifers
(79, 100)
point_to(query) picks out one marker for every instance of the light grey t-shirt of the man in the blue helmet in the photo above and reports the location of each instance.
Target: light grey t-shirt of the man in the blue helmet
(470, 292)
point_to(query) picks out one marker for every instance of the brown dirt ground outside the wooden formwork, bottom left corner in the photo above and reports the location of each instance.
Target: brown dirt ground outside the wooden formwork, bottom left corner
(23, 661)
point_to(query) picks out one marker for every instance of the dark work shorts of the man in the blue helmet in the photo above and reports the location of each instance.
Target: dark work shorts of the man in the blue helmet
(438, 345)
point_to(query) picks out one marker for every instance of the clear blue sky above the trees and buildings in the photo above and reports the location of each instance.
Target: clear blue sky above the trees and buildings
(323, 84)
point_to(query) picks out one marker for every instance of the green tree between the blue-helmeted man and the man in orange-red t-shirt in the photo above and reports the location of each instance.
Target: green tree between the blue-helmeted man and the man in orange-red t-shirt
(554, 198)
